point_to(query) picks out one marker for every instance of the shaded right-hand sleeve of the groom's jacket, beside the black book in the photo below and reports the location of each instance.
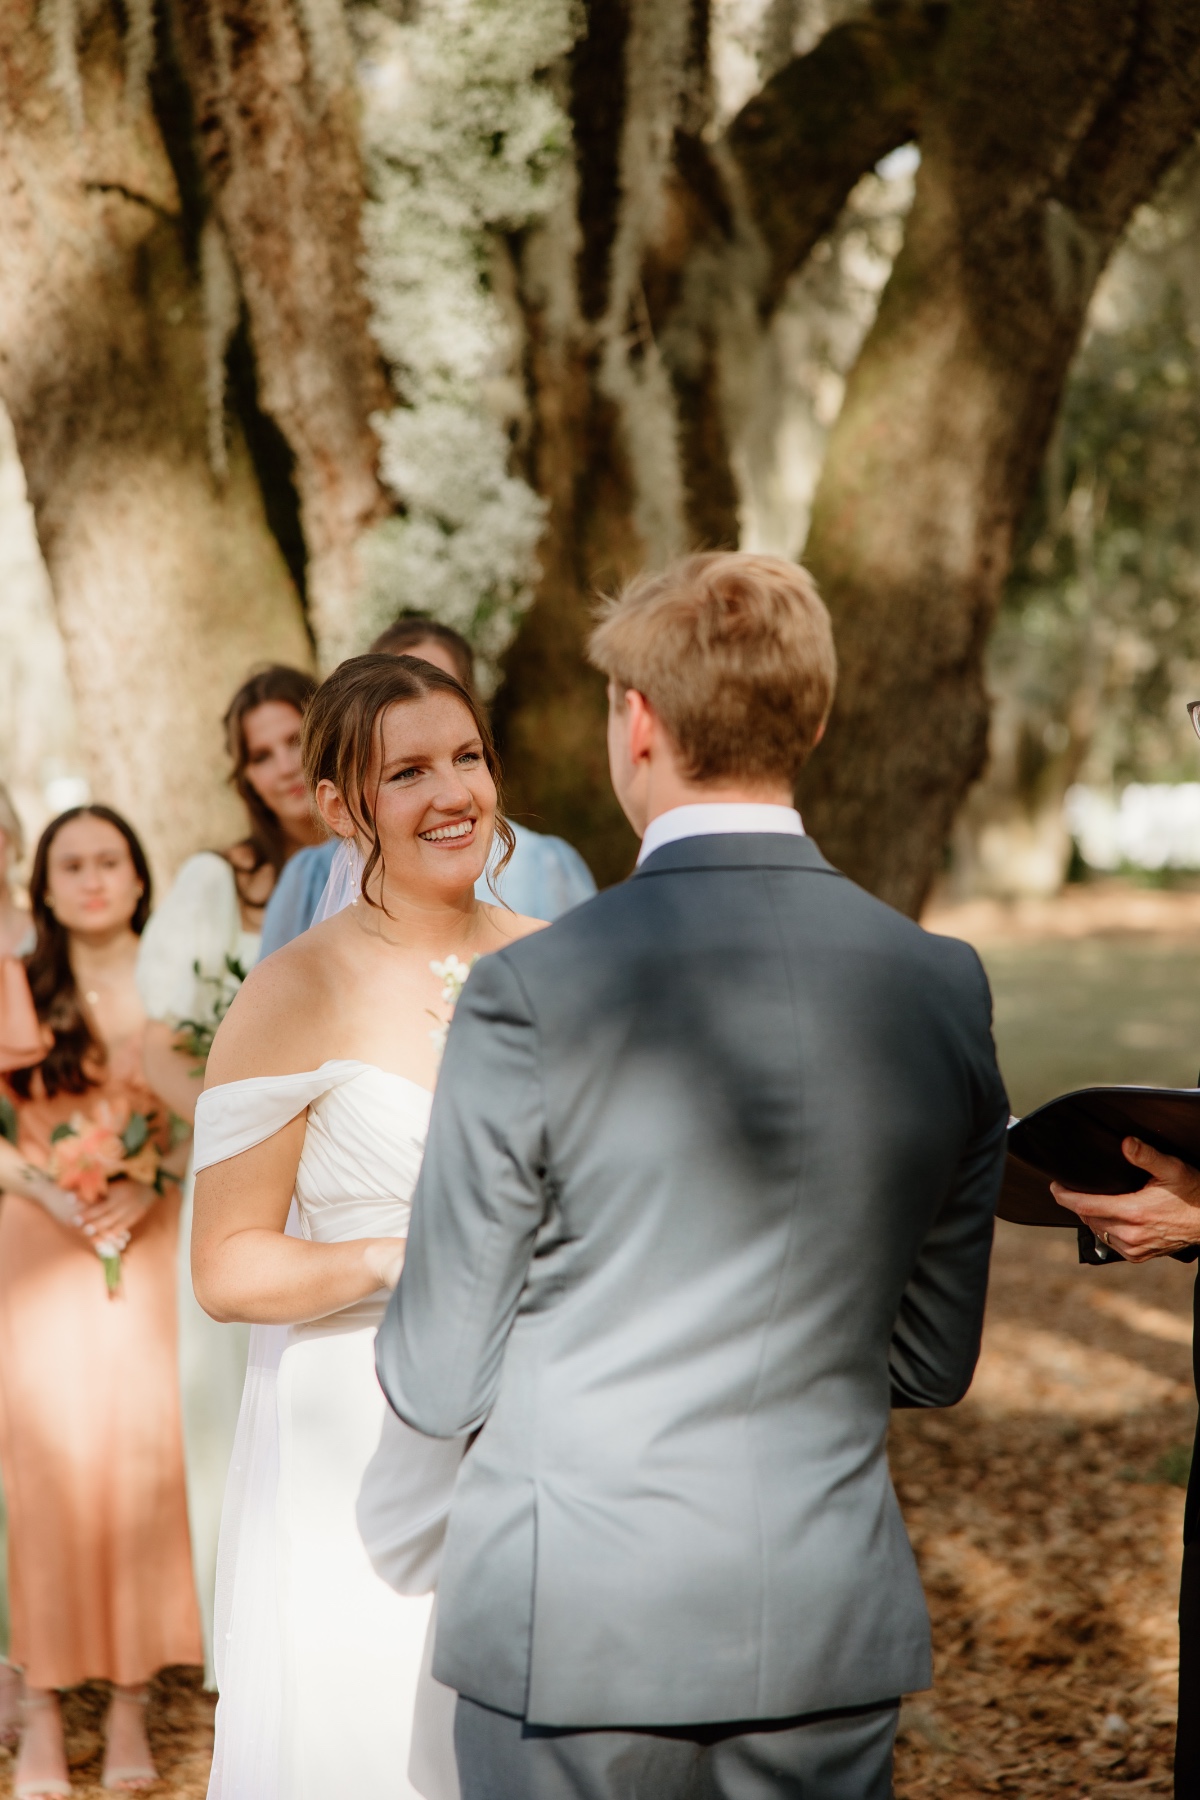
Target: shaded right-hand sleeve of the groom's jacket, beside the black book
(942, 1311)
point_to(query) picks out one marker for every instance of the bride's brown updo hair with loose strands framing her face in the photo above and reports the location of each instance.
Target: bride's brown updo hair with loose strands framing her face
(345, 726)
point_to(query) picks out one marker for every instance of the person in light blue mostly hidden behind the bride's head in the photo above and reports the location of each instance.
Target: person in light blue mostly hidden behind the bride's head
(546, 876)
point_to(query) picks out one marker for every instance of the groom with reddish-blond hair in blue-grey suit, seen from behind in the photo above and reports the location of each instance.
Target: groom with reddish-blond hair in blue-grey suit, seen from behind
(710, 1185)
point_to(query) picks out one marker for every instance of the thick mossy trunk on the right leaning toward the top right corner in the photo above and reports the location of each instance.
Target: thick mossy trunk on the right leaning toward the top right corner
(1041, 132)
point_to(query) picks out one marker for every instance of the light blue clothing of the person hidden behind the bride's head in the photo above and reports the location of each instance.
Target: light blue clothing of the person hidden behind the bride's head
(544, 879)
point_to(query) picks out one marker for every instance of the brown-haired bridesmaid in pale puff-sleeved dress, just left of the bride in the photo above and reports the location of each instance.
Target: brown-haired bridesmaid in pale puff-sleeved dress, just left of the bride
(197, 949)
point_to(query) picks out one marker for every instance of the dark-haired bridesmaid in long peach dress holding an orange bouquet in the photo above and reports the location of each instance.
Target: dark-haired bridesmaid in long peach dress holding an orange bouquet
(100, 1565)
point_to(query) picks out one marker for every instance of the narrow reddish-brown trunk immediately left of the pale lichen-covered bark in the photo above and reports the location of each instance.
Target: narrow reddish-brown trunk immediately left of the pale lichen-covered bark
(278, 130)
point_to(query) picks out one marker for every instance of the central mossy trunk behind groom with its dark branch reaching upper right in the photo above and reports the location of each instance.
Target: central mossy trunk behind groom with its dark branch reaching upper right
(677, 242)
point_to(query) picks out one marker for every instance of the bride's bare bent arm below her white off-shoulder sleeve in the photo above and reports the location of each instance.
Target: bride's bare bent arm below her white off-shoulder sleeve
(244, 1266)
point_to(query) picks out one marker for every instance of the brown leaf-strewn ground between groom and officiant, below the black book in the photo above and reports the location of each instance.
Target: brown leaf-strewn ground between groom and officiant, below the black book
(1048, 1518)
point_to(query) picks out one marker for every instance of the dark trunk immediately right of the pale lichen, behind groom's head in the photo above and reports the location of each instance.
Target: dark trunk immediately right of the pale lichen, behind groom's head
(586, 370)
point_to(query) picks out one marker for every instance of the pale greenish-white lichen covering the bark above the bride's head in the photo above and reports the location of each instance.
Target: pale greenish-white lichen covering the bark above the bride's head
(467, 145)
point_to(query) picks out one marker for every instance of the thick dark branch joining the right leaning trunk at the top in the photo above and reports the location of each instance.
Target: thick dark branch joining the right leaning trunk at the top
(825, 121)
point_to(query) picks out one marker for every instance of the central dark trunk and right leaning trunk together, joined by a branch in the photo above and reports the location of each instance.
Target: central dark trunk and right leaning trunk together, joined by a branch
(1041, 132)
